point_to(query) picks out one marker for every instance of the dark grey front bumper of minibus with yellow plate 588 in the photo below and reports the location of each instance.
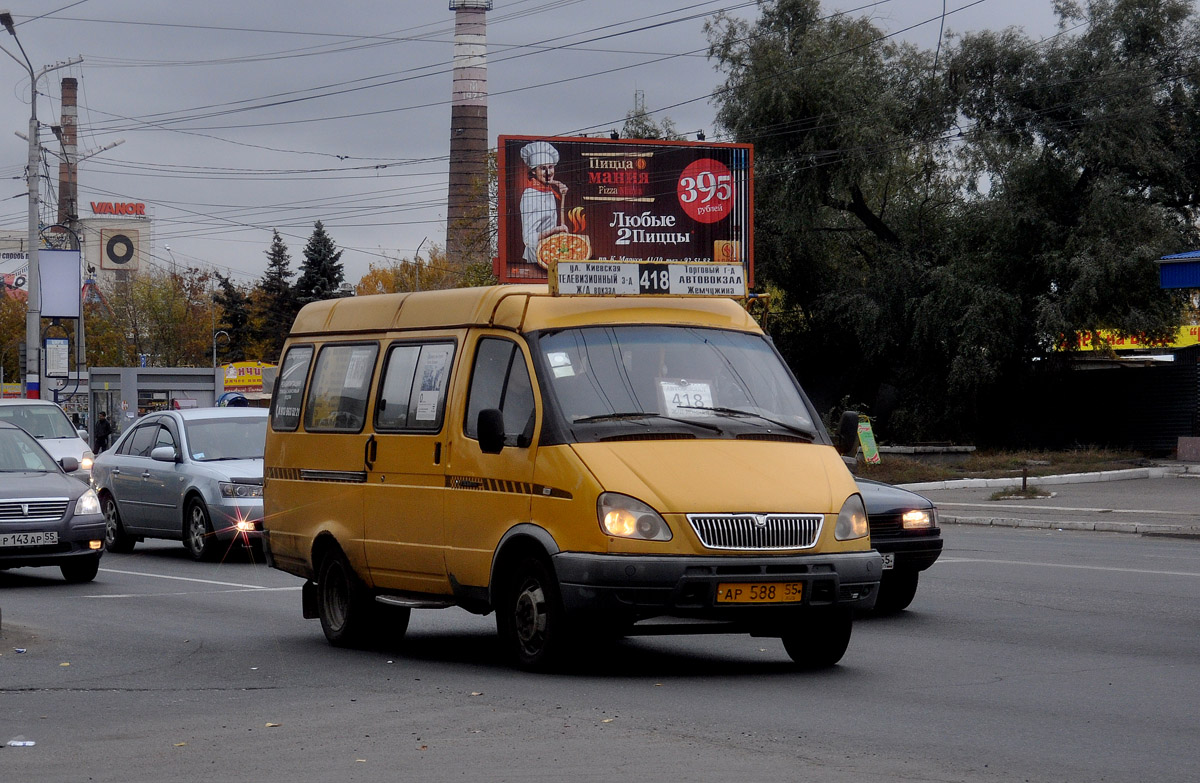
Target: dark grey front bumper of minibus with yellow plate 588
(729, 588)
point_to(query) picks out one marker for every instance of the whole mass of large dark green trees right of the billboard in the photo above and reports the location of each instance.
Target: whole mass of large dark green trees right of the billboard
(938, 222)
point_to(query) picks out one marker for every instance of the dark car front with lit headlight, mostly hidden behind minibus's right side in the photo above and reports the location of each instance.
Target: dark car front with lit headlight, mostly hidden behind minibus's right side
(905, 533)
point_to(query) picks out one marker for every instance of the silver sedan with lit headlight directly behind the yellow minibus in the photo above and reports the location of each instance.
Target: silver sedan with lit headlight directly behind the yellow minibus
(194, 476)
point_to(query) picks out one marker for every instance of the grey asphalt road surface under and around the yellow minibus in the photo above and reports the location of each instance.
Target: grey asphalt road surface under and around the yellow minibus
(1029, 655)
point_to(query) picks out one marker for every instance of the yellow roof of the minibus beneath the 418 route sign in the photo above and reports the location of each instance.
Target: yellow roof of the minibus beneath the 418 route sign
(518, 308)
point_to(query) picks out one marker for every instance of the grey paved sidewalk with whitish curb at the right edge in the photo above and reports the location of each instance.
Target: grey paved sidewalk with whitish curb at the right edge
(970, 504)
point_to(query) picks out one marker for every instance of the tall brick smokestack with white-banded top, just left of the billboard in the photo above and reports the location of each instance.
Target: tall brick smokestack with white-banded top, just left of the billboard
(467, 236)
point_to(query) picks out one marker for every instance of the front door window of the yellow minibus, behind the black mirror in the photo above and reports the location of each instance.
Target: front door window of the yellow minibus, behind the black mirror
(501, 380)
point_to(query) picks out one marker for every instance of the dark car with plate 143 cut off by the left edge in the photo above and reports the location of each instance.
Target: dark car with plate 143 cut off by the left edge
(47, 518)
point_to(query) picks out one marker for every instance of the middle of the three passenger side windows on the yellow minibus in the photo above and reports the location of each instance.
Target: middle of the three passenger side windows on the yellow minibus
(338, 395)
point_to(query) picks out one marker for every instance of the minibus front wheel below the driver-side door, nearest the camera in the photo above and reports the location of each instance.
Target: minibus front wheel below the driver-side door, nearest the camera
(531, 618)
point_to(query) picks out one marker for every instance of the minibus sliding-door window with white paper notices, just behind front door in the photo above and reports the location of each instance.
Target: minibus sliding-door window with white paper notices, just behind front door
(413, 391)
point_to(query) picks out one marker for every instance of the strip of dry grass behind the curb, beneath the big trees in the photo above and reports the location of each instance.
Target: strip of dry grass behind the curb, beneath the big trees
(902, 470)
